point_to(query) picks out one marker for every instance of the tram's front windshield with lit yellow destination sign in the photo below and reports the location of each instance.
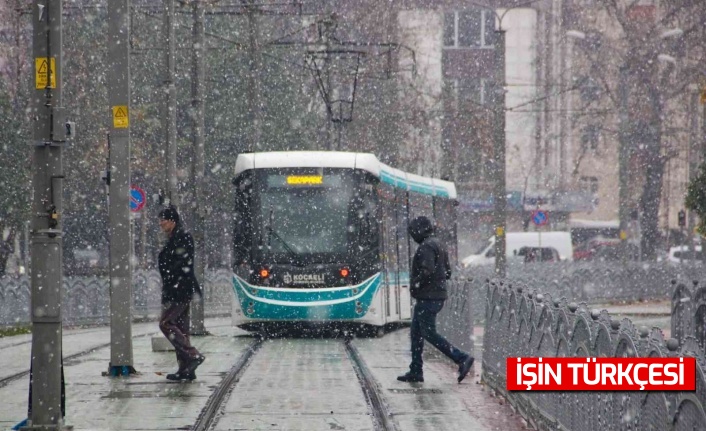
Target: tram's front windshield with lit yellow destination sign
(309, 215)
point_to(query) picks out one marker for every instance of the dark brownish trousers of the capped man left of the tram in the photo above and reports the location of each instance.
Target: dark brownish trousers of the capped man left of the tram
(175, 325)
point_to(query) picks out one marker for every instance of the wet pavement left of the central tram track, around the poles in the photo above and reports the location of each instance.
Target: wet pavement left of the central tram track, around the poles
(145, 401)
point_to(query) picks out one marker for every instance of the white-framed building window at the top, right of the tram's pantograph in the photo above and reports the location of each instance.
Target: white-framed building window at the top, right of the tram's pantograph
(473, 28)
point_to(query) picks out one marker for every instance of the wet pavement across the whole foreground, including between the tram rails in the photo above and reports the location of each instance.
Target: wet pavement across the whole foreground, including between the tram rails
(148, 401)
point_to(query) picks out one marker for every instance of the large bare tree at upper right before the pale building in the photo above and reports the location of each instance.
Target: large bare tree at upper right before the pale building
(641, 60)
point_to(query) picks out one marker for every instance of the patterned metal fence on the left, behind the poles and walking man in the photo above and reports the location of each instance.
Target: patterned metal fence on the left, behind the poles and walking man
(86, 300)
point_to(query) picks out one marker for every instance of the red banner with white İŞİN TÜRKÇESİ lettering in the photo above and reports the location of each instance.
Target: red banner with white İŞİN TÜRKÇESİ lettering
(601, 374)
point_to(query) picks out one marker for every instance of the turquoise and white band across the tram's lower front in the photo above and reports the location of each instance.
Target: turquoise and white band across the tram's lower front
(337, 303)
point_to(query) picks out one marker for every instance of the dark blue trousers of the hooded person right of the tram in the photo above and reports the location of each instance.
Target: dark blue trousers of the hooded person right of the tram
(424, 328)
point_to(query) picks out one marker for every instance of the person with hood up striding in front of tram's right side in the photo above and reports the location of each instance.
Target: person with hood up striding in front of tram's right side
(430, 270)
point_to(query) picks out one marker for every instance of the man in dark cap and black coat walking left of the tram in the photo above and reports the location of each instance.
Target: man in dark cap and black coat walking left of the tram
(176, 266)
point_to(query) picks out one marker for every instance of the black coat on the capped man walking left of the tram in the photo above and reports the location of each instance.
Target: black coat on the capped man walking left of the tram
(176, 266)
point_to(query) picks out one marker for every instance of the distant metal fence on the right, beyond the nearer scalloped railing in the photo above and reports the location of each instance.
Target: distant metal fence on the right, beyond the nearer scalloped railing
(590, 281)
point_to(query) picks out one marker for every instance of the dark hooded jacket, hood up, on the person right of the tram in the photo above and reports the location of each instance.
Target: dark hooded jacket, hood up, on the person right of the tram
(430, 265)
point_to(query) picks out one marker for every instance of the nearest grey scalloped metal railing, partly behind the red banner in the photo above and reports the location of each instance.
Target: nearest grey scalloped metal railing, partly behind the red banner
(526, 323)
